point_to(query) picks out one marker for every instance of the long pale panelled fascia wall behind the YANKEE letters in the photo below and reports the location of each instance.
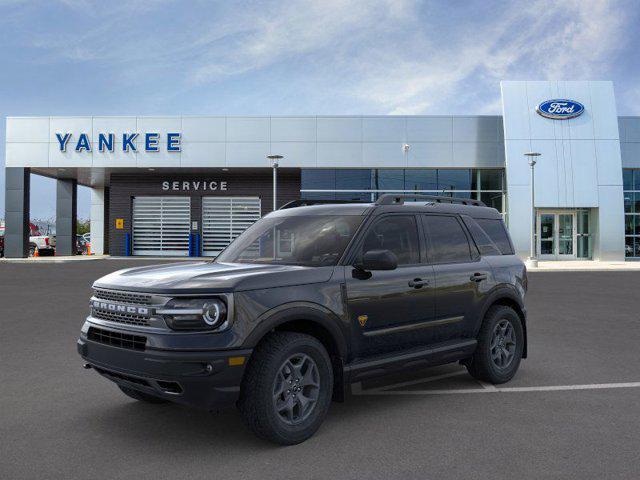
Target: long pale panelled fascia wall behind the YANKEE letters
(245, 141)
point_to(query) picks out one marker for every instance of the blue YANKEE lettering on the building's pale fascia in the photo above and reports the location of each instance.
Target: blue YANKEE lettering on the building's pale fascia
(149, 141)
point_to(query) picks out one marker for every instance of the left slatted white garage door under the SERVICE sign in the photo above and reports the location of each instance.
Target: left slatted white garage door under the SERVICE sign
(161, 225)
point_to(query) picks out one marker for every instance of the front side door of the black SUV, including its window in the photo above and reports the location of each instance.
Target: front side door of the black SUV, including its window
(390, 310)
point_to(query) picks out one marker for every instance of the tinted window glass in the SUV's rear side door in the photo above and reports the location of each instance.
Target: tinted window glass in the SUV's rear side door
(447, 241)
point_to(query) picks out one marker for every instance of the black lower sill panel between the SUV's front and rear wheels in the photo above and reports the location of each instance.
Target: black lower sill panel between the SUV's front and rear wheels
(422, 357)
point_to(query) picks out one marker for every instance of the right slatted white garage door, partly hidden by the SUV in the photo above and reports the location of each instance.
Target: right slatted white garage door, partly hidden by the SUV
(224, 218)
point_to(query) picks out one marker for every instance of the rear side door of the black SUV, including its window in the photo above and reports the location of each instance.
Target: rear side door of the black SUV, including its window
(462, 277)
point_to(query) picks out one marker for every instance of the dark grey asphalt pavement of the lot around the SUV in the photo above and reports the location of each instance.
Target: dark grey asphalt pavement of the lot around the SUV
(59, 421)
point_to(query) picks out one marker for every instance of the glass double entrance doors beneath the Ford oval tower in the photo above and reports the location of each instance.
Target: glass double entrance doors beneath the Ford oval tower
(556, 235)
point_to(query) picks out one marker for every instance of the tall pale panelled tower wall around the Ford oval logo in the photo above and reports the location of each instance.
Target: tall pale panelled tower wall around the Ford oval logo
(580, 164)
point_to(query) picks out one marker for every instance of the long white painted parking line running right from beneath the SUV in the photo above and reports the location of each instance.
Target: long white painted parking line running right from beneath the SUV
(546, 388)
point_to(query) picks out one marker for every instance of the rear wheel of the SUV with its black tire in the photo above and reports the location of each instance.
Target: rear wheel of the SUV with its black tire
(488, 363)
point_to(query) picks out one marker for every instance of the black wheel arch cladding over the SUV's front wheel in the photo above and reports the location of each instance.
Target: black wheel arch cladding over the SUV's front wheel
(314, 322)
